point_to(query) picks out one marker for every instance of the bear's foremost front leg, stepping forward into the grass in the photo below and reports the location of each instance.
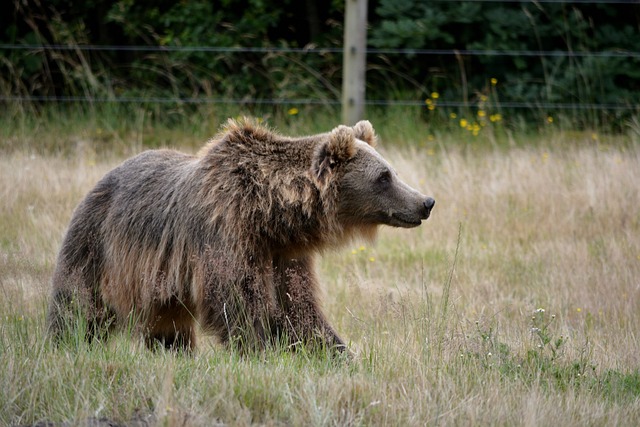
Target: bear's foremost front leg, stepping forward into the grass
(301, 316)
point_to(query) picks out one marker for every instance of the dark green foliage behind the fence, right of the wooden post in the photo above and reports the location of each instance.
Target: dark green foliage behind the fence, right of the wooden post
(517, 27)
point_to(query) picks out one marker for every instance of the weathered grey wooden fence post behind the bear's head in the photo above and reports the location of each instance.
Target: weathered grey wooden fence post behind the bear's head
(354, 61)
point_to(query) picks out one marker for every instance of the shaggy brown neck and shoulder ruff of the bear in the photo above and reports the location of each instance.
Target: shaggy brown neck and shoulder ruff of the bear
(260, 194)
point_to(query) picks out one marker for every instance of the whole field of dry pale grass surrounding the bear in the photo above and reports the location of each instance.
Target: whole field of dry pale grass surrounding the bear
(516, 303)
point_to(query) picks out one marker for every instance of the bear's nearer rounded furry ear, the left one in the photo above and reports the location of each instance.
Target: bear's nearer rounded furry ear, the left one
(340, 147)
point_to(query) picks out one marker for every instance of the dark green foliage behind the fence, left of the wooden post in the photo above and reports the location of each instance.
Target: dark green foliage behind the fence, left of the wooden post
(171, 73)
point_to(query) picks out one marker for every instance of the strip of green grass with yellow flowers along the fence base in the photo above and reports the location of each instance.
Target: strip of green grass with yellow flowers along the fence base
(124, 129)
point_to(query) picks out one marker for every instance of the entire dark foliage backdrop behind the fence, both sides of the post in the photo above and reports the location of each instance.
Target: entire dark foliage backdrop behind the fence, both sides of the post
(535, 81)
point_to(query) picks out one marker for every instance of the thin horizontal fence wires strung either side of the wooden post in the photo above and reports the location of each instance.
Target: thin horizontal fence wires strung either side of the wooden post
(38, 49)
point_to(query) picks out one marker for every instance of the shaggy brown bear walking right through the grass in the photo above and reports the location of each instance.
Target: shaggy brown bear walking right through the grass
(225, 239)
